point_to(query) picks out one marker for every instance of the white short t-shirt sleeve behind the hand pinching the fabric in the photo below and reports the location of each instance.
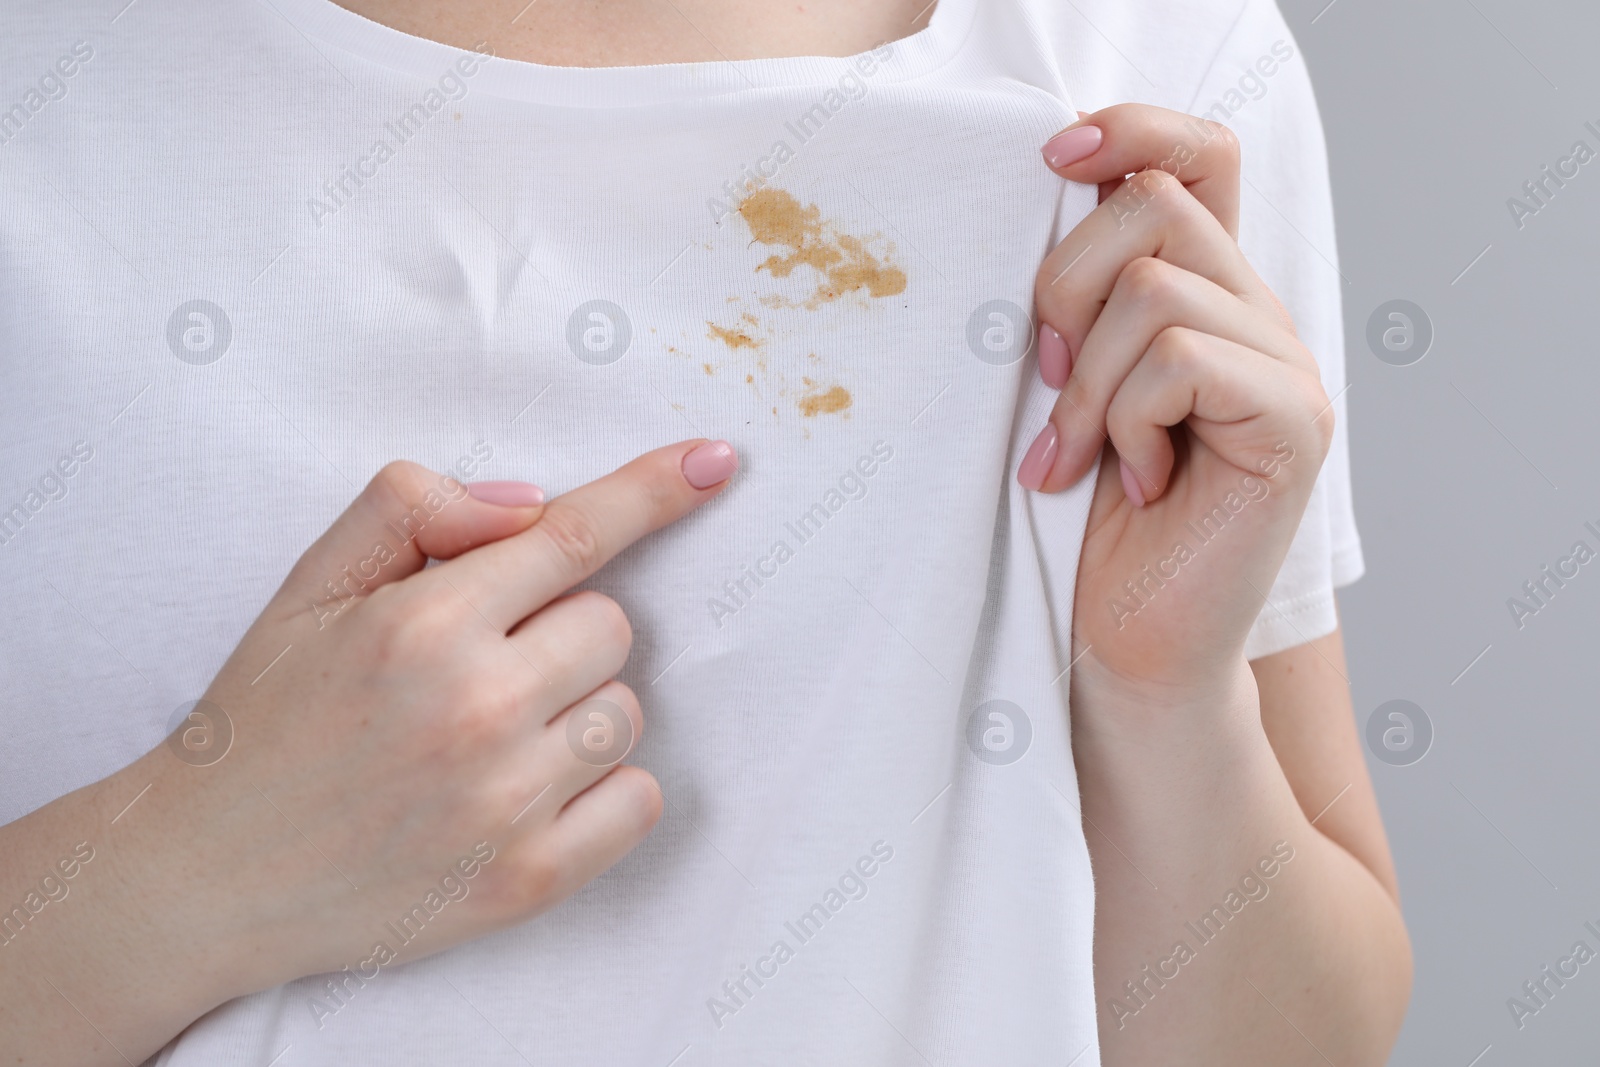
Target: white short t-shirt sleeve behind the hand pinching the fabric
(1258, 87)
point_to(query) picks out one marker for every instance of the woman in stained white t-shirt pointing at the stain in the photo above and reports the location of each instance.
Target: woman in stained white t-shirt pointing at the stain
(265, 250)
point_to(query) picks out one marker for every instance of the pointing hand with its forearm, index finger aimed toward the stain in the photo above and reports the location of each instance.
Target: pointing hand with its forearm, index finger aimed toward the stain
(391, 749)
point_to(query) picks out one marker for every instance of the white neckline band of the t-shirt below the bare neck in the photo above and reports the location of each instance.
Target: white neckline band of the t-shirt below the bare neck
(623, 87)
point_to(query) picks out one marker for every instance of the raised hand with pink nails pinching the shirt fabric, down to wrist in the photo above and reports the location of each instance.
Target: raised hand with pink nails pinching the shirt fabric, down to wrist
(1166, 343)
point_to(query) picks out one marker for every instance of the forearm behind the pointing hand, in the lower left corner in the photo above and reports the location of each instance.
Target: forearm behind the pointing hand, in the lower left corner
(111, 943)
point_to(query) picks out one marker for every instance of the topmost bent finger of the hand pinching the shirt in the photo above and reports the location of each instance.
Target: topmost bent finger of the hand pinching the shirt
(1129, 138)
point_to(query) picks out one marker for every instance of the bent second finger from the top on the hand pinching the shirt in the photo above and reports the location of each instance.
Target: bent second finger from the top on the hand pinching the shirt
(1164, 223)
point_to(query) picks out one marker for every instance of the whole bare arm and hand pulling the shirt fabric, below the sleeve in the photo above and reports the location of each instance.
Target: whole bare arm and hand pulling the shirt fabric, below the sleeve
(1230, 929)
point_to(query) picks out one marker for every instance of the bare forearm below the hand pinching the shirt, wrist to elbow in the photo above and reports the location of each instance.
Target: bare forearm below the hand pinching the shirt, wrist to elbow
(1228, 927)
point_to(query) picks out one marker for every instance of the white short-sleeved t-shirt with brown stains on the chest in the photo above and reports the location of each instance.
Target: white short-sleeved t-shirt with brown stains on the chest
(254, 250)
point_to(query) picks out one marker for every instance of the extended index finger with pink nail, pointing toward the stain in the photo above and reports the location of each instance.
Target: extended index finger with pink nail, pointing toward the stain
(582, 530)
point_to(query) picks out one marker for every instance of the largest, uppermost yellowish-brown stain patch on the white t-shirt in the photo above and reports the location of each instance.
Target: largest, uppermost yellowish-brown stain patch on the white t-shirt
(844, 262)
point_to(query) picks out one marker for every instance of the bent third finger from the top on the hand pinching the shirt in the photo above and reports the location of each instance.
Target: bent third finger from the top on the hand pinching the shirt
(1150, 297)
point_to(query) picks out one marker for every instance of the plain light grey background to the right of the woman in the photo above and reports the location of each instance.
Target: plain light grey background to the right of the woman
(1474, 470)
